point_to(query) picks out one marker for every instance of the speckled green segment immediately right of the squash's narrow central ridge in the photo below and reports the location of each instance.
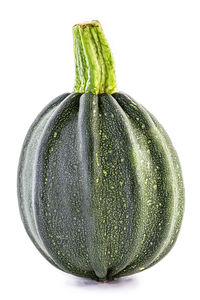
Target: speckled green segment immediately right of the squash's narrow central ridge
(123, 180)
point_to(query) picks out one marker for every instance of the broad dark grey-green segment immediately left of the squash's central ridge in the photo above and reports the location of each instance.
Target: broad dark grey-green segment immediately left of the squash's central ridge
(57, 198)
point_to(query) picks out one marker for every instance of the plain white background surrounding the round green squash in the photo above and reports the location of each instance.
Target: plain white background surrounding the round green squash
(156, 47)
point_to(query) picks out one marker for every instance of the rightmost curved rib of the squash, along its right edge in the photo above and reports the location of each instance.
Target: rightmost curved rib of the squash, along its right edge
(162, 209)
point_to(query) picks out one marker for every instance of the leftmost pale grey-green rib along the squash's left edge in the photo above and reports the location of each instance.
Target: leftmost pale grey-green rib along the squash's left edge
(26, 171)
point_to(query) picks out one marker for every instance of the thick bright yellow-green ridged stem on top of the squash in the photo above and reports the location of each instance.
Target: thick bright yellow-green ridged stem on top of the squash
(94, 65)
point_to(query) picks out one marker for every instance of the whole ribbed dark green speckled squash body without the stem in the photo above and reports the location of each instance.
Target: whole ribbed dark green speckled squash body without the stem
(100, 187)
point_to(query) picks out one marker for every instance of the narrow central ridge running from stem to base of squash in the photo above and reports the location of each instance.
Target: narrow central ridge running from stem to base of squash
(90, 171)
